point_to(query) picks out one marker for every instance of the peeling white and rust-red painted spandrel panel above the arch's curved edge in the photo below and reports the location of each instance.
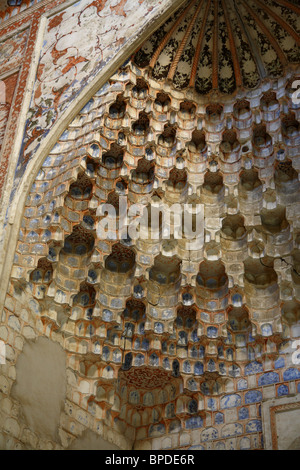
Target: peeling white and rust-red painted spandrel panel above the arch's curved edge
(73, 53)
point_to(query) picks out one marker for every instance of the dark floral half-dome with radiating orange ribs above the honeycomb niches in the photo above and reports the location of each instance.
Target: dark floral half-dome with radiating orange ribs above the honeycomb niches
(214, 45)
